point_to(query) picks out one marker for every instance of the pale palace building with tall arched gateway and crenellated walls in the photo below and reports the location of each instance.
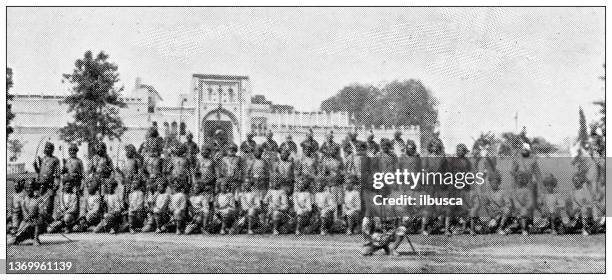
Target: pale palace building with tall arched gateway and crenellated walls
(214, 102)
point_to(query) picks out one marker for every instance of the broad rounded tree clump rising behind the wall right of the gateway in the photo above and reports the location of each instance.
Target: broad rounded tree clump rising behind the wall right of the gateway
(397, 103)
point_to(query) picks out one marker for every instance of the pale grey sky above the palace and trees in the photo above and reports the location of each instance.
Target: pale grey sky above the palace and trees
(483, 64)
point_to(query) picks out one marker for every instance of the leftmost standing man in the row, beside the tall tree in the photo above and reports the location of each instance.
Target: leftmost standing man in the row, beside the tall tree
(48, 169)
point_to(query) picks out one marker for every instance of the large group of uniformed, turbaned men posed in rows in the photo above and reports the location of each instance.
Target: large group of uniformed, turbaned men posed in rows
(221, 188)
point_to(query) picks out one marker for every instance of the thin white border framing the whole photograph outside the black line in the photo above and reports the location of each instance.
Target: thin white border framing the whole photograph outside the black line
(284, 3)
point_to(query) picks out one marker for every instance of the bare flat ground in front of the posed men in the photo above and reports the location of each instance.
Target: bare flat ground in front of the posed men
(168, 253)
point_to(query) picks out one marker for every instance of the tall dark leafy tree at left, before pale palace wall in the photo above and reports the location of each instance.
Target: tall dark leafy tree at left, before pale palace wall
(94, 99)
